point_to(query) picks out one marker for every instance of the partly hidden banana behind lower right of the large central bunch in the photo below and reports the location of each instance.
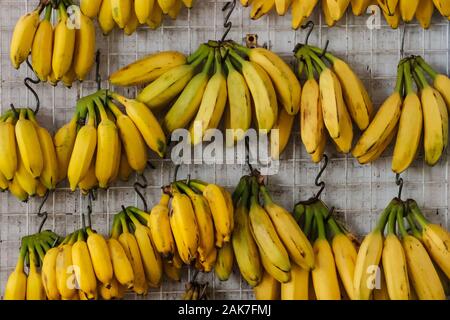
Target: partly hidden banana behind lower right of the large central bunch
(279, 140)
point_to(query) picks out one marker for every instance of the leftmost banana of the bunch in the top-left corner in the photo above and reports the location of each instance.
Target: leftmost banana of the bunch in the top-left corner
(22, 37)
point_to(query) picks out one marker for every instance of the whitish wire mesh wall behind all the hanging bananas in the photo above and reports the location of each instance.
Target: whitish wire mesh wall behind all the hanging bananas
(358, 192)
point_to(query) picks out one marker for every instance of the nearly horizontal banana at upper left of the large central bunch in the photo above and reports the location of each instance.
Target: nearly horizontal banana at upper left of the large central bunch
(147, 69)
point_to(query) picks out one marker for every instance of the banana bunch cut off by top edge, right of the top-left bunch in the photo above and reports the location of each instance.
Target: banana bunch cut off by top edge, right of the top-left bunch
(130, 14)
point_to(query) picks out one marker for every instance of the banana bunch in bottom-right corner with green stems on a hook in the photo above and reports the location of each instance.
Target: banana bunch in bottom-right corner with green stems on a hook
(408, 272)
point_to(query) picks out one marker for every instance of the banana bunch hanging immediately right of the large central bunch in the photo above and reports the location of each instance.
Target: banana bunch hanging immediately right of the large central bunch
(331, 104)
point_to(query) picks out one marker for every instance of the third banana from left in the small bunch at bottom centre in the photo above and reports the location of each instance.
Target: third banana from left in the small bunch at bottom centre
(204, 221)
